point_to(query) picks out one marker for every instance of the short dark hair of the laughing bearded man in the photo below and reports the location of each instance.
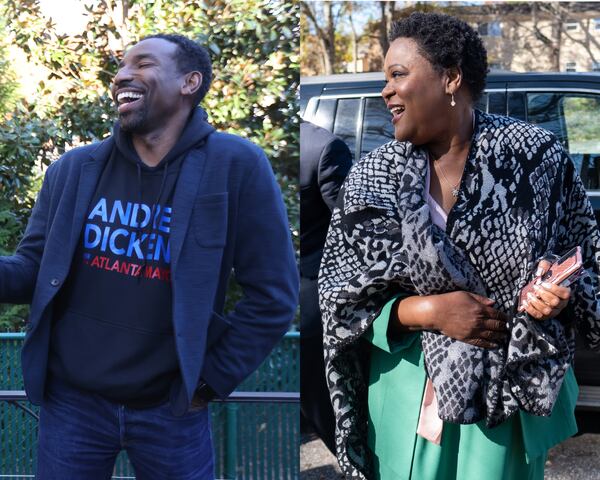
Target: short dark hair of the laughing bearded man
(190, 57)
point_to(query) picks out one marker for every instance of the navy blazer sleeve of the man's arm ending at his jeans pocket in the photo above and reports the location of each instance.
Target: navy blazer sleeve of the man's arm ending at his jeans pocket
(265, 268)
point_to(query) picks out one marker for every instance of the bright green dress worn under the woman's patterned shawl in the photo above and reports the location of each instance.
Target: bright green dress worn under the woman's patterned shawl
(514, 450)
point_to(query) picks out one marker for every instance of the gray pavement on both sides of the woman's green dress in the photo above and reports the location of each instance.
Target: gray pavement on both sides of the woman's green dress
(576, 459)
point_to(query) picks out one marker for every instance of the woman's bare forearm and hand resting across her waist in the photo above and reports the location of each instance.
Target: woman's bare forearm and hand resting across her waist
(463, 316)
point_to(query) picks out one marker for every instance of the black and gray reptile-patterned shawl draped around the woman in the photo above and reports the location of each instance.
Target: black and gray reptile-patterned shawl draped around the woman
(520, 199)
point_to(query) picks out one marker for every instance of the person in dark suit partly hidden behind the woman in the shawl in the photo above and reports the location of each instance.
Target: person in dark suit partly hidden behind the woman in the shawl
(324, 163)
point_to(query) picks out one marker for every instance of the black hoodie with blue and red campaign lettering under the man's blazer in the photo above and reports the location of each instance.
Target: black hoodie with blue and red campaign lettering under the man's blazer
(112, 330)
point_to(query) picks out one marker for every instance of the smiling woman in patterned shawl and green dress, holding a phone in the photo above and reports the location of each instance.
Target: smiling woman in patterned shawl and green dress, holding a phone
(433, 372)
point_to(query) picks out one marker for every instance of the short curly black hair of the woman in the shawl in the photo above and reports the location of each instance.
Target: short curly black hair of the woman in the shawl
(446, 42)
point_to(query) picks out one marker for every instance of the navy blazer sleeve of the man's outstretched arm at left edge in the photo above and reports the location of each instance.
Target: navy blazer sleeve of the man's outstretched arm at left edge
(18, 272)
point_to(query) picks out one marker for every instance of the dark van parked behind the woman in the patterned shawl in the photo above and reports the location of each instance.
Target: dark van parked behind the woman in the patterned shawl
(568, 104)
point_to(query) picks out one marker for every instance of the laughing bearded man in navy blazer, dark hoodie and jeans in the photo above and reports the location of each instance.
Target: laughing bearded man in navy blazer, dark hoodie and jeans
(125, 262)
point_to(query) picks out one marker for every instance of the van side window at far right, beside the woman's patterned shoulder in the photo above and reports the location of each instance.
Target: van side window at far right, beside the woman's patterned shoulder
(572, 117)
